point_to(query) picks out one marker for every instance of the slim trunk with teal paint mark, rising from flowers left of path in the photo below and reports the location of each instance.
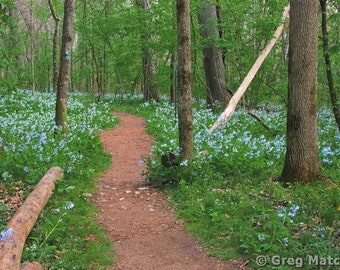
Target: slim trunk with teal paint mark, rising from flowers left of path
(65, 67)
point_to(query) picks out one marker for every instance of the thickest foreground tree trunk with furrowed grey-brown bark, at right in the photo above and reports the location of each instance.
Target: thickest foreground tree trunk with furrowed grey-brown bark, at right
(301, 162)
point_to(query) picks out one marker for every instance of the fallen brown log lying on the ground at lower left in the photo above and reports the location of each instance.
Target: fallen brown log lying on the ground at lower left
(18, 228)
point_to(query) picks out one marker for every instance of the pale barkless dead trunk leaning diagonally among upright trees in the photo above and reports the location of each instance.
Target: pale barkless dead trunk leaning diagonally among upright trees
(228, 112)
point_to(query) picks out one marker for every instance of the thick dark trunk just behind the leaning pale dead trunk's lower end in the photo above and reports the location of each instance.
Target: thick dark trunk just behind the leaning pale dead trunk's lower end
(213, 59)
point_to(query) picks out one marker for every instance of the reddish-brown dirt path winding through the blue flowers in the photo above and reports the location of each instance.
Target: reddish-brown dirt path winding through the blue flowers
(142, 226)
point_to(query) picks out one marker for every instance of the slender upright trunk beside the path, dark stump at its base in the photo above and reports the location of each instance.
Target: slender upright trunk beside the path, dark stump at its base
(184, 80)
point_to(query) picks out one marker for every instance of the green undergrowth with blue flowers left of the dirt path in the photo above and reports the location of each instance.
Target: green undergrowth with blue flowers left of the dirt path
(66, 235)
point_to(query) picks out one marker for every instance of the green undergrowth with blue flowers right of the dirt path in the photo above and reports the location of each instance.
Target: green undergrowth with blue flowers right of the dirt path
(228, 197)
